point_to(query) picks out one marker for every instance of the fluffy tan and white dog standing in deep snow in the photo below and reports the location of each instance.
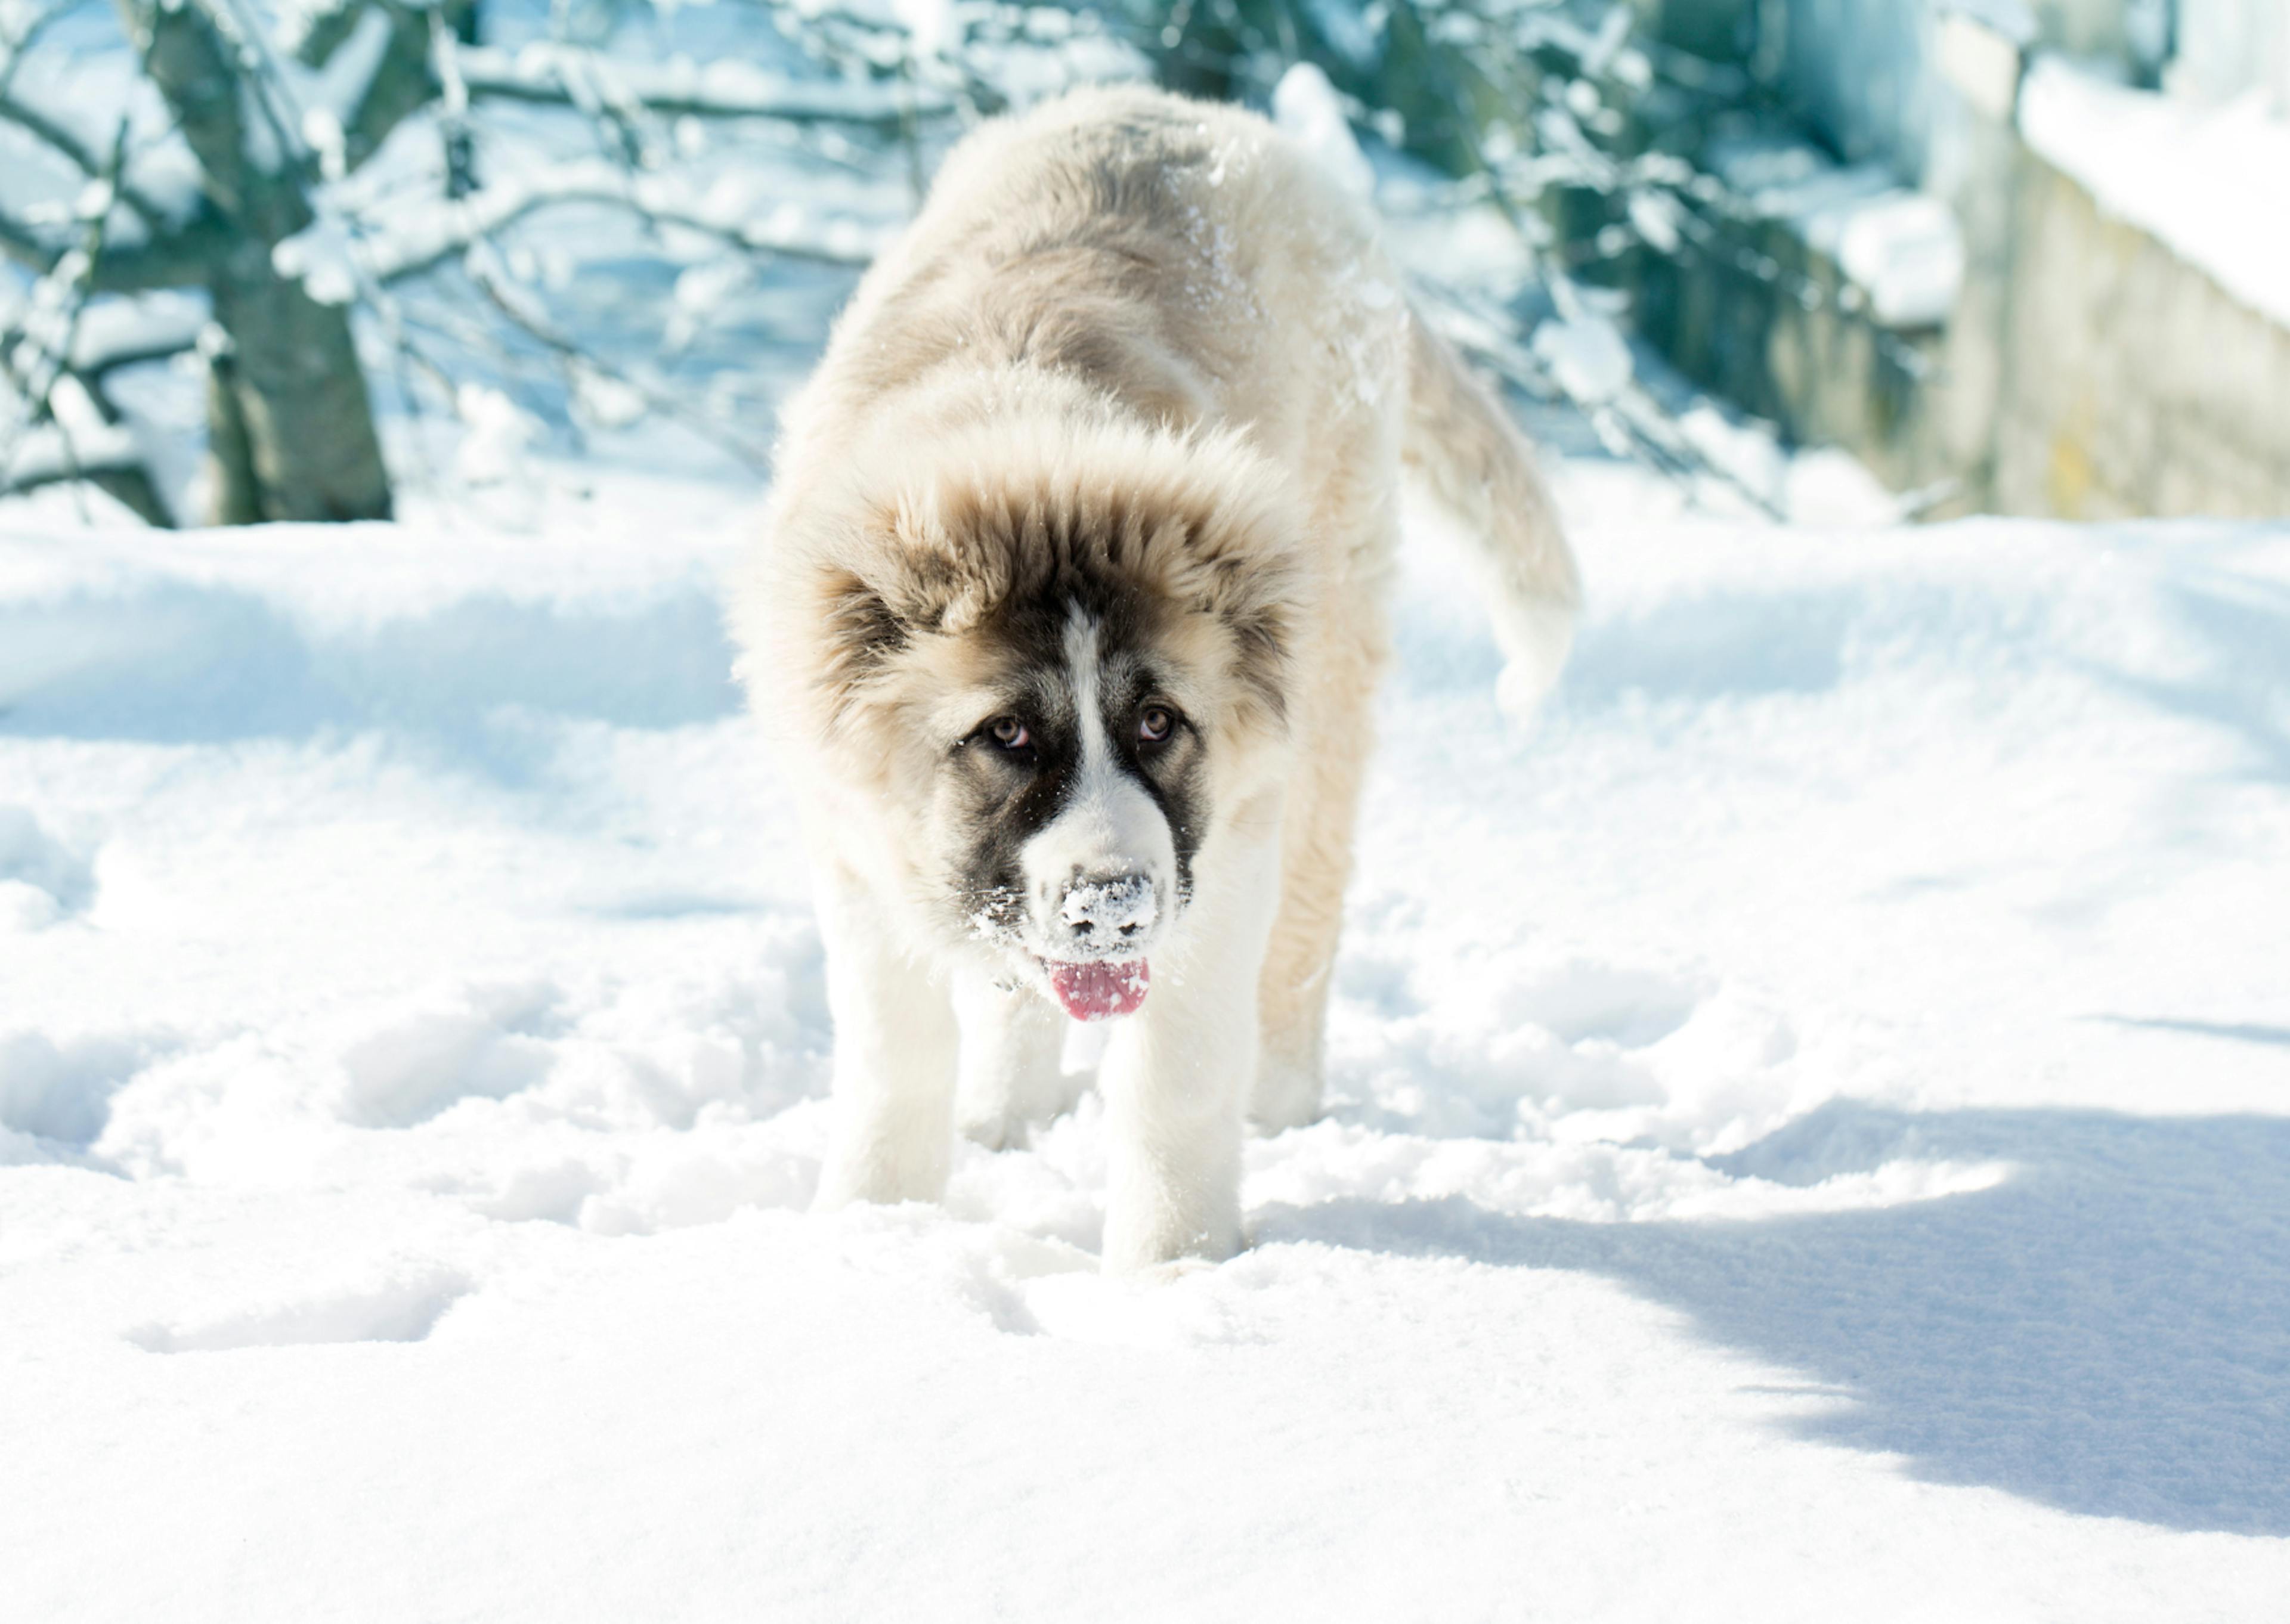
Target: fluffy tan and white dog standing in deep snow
(1068, 615)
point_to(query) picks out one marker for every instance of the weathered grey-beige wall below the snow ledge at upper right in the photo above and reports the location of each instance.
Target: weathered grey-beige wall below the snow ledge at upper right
(2087, 368)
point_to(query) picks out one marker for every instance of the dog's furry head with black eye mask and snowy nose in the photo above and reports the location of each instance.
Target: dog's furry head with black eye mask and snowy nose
(1059, 663)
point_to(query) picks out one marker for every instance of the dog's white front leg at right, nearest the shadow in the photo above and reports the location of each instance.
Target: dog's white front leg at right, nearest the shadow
(1178, 1073)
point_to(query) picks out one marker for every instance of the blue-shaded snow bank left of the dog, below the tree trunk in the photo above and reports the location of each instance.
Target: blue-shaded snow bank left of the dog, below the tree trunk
(301, 631)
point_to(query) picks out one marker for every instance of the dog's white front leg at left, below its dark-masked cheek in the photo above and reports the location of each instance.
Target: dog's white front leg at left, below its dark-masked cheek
(894, 1089)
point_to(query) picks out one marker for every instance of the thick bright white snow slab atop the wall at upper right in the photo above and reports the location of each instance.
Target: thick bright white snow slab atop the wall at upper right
(2211, 182)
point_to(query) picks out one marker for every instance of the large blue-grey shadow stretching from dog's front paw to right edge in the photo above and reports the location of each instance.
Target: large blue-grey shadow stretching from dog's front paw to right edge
(2108, 1332)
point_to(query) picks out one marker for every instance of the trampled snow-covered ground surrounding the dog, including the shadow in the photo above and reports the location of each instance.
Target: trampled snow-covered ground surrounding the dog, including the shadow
(1810, 1140)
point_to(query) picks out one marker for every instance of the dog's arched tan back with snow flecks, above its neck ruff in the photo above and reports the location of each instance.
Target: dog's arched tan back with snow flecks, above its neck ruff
(1171, 258)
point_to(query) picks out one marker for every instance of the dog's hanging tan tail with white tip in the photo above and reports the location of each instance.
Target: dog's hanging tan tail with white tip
(1480, 468)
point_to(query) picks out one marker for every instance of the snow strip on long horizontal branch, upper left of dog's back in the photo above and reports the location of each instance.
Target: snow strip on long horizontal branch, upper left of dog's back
(727, 90)
